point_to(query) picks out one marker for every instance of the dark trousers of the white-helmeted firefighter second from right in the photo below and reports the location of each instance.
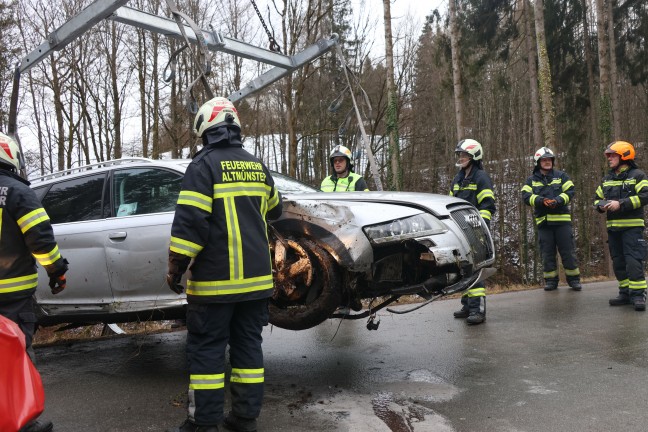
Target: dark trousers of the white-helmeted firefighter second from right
(560, 238)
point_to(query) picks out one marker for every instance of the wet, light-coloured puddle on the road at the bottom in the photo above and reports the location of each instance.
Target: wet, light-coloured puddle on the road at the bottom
(394, 407)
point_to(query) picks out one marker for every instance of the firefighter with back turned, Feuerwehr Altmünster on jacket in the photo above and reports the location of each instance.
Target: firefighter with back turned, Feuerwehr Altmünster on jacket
(220, 222)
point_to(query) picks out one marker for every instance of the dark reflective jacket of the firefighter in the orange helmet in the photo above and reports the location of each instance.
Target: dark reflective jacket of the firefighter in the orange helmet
(630, 188)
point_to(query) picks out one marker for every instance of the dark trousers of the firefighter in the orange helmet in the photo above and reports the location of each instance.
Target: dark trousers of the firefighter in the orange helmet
(628, 250)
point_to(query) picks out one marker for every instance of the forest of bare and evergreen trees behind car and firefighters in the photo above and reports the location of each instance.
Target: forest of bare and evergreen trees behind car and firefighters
(514, 74)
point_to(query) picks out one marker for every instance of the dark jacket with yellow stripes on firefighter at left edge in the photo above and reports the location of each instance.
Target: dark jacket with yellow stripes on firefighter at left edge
(26, 236)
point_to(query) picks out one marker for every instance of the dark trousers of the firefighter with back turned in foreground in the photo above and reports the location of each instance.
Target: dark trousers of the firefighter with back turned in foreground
(210, 328)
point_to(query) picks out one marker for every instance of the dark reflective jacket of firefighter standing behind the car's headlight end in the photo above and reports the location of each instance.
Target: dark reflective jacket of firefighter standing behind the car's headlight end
(477, 189)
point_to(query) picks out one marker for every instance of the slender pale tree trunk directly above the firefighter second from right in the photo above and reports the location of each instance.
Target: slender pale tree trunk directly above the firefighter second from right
(544, 72)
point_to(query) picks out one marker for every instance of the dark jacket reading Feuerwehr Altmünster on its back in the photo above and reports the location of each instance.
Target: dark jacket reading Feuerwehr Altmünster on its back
(220, 222)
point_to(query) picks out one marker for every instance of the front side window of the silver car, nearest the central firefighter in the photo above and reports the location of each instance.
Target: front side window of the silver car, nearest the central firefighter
(145, 190)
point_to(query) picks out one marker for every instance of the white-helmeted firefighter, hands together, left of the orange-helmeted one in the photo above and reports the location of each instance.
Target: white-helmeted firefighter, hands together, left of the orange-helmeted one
(549, 192)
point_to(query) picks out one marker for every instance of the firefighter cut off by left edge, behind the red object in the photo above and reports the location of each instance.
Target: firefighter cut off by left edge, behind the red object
(26, 236)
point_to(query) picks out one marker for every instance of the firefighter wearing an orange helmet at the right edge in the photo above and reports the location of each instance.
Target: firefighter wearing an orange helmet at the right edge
(622, 195)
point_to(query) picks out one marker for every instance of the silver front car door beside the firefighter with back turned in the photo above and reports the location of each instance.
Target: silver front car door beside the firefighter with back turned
(137, 249)
